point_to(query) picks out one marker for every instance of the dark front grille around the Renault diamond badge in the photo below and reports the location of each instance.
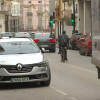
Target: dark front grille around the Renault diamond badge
(13, 69)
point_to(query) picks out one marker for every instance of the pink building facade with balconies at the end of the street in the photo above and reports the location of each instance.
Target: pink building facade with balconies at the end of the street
(36, 18)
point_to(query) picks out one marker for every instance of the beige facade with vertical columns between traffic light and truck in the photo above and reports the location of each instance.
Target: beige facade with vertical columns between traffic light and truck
(84, 16)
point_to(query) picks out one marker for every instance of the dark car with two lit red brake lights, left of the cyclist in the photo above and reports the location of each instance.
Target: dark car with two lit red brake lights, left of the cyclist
(46, 41)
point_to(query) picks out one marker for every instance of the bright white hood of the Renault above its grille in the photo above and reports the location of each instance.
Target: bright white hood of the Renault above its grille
(20, 58)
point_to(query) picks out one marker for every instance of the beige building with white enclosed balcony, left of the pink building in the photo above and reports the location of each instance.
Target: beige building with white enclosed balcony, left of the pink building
(11, 16)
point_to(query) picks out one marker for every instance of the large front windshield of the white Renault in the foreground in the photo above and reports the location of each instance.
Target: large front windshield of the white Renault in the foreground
(18, 48)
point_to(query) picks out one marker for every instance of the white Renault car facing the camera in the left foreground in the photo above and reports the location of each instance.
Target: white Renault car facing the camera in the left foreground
(22, 61)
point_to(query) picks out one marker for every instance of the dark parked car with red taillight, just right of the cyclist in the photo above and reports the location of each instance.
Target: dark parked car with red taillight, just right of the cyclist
(72, 41)
